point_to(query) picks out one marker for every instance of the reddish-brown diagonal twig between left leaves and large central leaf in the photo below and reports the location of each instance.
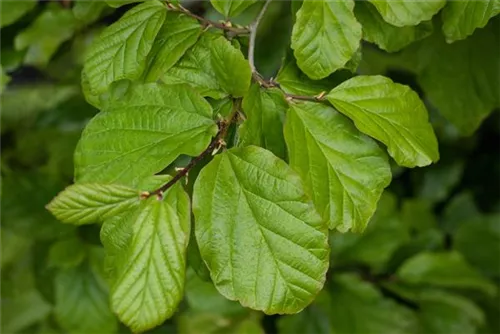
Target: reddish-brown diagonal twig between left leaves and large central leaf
(214, 145)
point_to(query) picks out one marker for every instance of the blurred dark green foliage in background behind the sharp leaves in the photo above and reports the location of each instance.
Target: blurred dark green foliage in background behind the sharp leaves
(429, 261)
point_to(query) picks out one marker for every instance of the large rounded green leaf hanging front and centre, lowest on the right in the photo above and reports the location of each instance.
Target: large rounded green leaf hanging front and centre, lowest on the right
(259, 235)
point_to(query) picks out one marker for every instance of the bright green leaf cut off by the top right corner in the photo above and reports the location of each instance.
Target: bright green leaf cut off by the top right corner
(462, 17)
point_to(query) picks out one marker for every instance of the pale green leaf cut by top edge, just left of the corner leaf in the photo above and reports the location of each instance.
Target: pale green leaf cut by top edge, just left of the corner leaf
(407, 12)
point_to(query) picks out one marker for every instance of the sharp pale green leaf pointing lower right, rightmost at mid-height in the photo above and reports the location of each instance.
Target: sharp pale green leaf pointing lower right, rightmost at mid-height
(391, 113)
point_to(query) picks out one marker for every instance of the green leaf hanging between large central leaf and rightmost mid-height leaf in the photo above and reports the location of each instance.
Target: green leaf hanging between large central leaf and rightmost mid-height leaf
(344, 170)
